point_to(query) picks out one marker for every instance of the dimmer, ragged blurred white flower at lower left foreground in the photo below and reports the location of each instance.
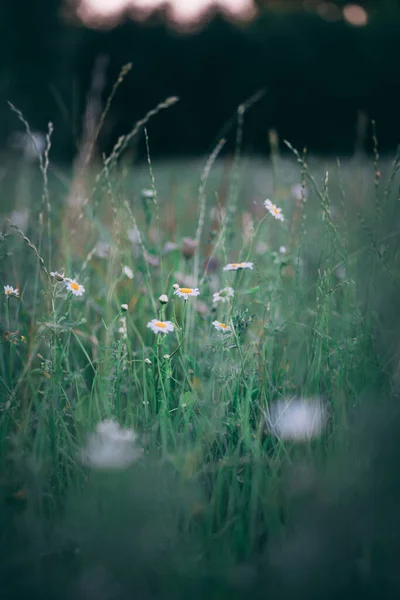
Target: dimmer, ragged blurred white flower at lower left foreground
(110, 447)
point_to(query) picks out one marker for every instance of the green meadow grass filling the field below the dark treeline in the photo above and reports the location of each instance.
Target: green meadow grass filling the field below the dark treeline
(203, 499)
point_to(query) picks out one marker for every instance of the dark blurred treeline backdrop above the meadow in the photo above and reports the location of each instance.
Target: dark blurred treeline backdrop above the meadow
(327, 69)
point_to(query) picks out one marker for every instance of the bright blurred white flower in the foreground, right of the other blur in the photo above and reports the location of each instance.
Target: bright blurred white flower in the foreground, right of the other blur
(297, 418)
